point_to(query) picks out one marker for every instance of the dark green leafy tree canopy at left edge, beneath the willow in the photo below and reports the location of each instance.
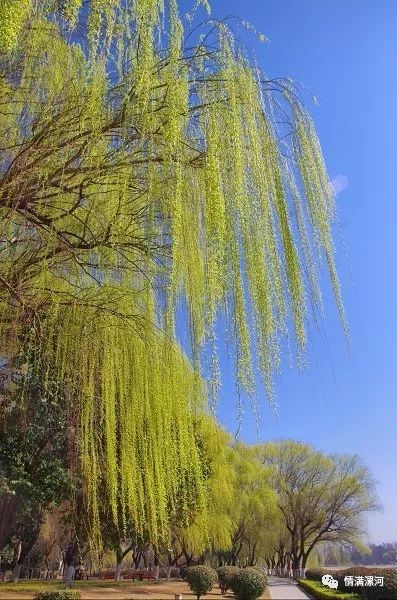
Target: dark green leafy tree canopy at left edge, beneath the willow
(34, 469)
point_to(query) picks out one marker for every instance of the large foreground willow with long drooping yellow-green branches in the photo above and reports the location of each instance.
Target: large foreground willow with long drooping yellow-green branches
(144, 182)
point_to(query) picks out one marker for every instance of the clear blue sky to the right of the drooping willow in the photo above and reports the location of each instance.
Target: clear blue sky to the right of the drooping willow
(345, 52)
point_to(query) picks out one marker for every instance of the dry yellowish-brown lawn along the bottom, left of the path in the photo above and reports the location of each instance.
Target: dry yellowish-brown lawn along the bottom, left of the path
(104, 590)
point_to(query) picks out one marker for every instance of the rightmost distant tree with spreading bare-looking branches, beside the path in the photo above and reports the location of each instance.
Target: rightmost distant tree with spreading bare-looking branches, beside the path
(321, 497)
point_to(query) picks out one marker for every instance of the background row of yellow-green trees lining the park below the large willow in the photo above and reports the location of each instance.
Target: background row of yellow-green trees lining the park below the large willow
(255, 514)
